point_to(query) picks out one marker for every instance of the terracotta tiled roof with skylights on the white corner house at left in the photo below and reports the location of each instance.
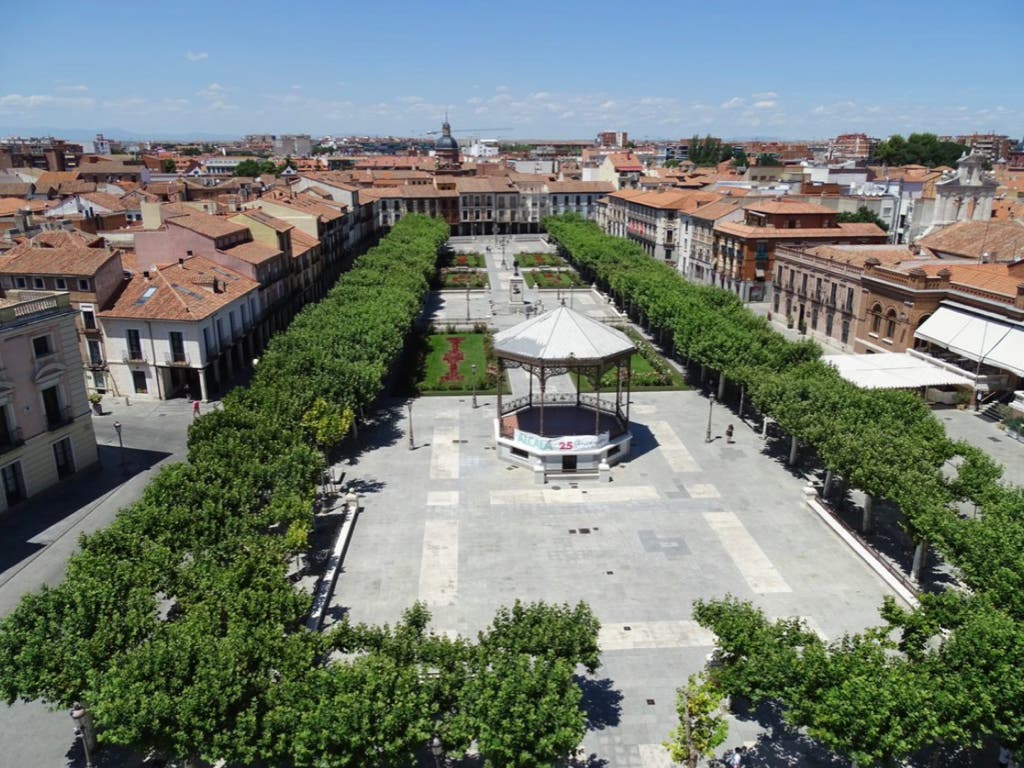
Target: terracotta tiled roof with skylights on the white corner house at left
(181, 292)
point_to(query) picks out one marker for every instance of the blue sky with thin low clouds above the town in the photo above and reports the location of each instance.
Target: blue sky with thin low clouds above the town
(560, 69)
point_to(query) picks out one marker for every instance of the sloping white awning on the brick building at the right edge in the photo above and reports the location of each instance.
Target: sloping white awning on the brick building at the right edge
(986, 339)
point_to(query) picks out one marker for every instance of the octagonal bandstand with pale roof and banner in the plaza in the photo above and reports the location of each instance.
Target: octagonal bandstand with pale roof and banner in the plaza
(565, 432)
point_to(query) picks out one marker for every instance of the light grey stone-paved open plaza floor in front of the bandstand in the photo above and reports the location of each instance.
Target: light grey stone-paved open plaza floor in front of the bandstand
(449, 525)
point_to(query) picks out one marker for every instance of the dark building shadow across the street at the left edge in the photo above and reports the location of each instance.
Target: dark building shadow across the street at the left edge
(23, 524)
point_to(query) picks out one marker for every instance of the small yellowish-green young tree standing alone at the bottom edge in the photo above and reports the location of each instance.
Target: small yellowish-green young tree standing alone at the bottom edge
(702, 728)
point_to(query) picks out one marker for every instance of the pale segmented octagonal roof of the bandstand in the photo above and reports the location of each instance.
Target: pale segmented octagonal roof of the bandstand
(563, 337)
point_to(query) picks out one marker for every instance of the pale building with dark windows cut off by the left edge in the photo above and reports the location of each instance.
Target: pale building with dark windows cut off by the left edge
(46, 420)
